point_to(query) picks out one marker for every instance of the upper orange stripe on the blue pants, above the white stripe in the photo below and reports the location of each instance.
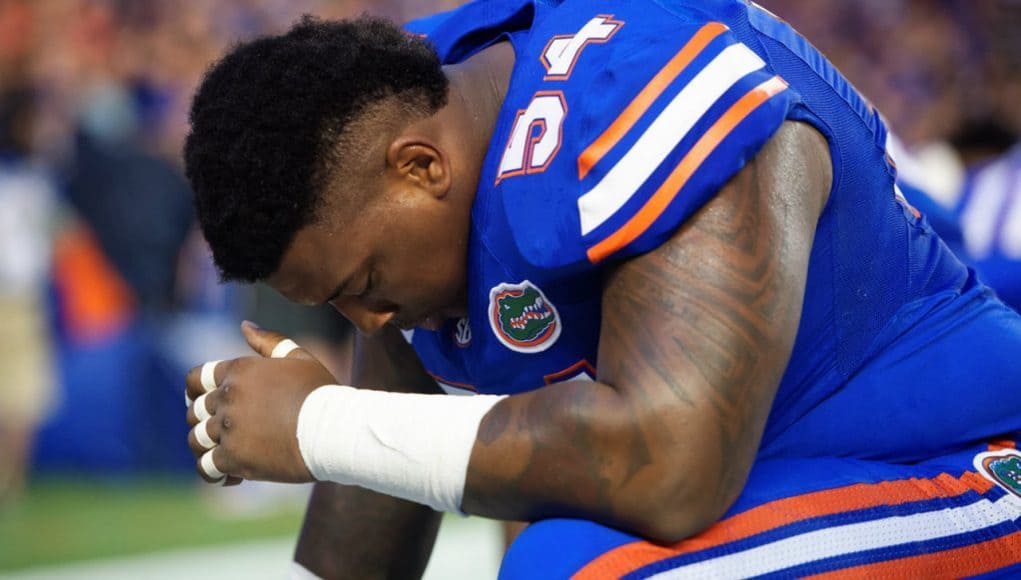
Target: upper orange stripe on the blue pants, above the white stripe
(629, 558)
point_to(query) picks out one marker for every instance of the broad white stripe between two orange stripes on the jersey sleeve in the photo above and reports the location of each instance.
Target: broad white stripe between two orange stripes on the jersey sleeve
(600, 204)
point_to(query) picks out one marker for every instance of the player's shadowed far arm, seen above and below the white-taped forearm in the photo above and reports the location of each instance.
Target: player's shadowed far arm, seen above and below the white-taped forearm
(352, 533)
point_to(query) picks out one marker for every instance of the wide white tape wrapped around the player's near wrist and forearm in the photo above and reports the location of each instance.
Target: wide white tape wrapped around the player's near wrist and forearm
(413, 447)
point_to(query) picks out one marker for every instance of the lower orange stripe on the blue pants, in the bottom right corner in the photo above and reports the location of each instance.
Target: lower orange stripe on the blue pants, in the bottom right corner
(957, 563)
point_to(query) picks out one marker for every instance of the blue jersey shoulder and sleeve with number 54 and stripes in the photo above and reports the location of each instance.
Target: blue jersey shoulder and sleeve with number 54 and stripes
(623, 120)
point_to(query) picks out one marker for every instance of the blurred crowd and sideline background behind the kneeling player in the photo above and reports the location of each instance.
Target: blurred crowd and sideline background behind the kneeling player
(107, 292)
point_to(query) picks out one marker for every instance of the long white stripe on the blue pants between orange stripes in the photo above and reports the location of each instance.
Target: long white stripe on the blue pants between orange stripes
(829, 543)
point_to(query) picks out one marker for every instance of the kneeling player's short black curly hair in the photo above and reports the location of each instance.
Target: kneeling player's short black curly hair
(266, 120)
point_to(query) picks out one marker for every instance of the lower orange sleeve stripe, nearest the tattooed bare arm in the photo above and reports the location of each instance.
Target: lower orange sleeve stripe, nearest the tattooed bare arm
(684, 172)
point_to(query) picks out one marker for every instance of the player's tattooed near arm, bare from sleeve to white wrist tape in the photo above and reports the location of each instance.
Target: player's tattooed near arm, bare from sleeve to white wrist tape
(695, 341)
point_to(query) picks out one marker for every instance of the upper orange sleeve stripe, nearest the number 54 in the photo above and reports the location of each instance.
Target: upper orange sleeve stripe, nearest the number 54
(592, 156)
